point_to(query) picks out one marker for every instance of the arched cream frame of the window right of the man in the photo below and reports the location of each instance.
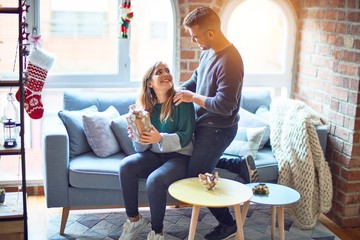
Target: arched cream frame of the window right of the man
(278, 80)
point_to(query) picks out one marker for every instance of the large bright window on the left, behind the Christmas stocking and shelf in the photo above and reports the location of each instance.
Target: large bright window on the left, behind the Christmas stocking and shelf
(83, 35)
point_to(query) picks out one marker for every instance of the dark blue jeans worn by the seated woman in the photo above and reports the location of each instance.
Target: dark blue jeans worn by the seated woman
(160, 170)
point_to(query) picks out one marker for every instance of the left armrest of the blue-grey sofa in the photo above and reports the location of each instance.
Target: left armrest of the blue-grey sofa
(56, 160)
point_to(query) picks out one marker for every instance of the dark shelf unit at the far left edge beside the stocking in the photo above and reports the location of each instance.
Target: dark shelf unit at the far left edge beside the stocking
(13, 225)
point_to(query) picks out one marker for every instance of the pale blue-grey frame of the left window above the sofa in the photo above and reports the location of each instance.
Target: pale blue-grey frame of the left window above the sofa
(120, 79)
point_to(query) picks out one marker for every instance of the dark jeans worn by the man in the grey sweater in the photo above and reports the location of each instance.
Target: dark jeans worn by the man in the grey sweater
(210, 144)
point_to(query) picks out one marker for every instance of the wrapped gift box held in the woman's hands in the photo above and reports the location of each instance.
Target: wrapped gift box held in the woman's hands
(138, 120)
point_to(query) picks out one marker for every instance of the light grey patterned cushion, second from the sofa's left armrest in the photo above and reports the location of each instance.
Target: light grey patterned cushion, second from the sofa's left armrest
(99, 134)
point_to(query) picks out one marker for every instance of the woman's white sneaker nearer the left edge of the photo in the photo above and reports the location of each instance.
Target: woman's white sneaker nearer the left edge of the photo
(131, 230)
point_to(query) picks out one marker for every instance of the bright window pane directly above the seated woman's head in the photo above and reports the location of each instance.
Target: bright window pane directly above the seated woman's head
(152, 36)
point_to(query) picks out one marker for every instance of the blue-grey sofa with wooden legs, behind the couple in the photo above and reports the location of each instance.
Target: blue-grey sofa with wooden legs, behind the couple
(87, 181)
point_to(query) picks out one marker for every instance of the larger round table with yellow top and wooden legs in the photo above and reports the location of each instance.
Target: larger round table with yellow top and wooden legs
(226, 193)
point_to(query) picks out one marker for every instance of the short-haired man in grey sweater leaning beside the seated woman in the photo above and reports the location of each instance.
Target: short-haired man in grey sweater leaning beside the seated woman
(215, 88)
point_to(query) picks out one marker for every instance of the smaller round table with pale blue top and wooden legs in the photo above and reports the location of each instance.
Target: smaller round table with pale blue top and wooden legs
(278, 197)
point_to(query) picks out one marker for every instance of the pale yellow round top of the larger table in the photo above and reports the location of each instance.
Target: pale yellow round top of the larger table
(226, 193)
